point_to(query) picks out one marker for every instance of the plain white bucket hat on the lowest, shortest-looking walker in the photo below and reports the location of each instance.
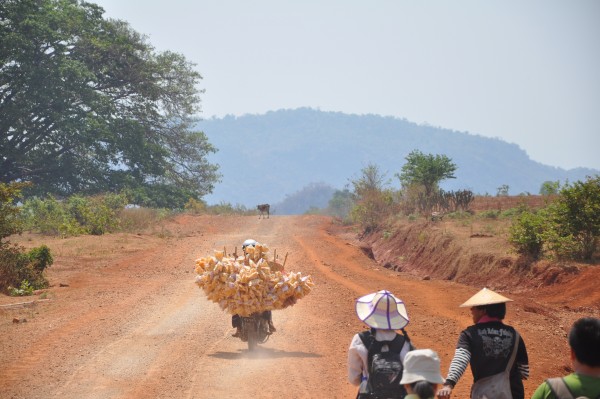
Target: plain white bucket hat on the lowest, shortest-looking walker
(421, 365)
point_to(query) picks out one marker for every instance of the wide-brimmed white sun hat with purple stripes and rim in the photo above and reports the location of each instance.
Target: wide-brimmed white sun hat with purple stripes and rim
(382, 310)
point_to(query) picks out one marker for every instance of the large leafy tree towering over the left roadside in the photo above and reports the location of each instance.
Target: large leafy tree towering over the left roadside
(87, 105)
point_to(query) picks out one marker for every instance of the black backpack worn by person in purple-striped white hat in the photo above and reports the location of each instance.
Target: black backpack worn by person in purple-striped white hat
(385, 366)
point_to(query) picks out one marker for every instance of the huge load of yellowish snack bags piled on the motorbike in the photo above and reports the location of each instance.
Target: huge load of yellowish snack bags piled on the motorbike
(249, 283)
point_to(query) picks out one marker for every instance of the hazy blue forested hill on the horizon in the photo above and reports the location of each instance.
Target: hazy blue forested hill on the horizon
(268, 158)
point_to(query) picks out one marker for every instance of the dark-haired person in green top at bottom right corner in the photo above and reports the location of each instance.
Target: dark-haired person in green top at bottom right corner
(584, 340)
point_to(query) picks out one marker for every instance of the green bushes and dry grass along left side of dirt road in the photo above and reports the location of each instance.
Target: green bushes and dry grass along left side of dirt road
(22, 272)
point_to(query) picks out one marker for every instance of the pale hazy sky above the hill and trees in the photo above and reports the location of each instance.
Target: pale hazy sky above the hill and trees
(527, 72)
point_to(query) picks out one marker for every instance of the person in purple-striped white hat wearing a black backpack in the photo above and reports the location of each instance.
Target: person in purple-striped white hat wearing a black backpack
(384, 313)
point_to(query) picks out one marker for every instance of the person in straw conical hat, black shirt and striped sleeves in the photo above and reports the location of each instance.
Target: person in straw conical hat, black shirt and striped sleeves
(490, 347)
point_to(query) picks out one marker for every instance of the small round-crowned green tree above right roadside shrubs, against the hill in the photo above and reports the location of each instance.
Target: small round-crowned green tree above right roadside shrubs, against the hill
(426, 170)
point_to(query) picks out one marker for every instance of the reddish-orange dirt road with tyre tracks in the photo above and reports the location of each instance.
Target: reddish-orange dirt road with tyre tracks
(128, 321)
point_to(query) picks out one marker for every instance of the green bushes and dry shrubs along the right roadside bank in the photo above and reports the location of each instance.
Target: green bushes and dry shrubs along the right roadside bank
(564, 226)
